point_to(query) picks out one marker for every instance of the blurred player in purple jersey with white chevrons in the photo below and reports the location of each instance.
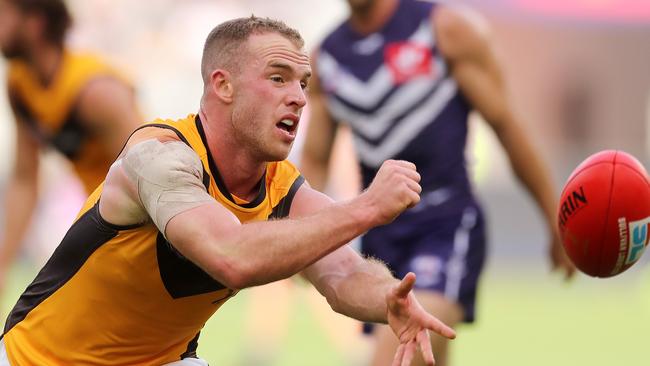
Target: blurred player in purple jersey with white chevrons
(405, 75)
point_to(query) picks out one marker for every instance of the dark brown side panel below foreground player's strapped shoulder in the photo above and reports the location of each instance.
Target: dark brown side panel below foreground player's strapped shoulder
(85, 236)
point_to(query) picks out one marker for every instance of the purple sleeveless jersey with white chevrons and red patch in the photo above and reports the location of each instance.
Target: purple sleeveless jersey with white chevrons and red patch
(394, 89)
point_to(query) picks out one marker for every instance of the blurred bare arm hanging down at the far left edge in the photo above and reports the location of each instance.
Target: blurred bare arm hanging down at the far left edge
(20, 197)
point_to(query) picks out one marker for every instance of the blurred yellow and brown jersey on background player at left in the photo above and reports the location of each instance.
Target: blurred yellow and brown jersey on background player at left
(50, 111)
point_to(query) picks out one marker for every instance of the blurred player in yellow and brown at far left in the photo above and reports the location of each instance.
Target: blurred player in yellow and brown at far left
(60, 98)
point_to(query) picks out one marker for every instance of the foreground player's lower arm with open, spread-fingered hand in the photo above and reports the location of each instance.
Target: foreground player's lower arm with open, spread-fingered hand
(365, 289)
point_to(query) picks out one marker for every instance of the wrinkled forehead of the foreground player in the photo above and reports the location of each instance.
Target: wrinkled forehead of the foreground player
(272, 49)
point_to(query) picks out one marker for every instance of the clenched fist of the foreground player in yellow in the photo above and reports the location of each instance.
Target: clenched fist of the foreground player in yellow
(395, 188)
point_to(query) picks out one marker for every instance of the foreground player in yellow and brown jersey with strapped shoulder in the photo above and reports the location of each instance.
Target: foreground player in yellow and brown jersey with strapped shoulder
(183, 222)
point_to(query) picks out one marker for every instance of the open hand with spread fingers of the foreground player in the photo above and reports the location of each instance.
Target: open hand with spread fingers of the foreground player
(411, 324)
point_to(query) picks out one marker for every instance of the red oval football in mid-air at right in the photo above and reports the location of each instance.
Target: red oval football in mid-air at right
(604, 213)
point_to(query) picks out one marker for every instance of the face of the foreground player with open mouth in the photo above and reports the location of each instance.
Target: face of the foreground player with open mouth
(269, 95)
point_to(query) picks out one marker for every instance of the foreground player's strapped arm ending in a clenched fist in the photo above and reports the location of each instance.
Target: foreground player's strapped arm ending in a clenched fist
(162, 181)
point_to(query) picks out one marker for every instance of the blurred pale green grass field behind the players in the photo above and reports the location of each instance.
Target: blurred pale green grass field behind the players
(524, 319)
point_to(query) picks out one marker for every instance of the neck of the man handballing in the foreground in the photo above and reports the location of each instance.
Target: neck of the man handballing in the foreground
(241, 173)
